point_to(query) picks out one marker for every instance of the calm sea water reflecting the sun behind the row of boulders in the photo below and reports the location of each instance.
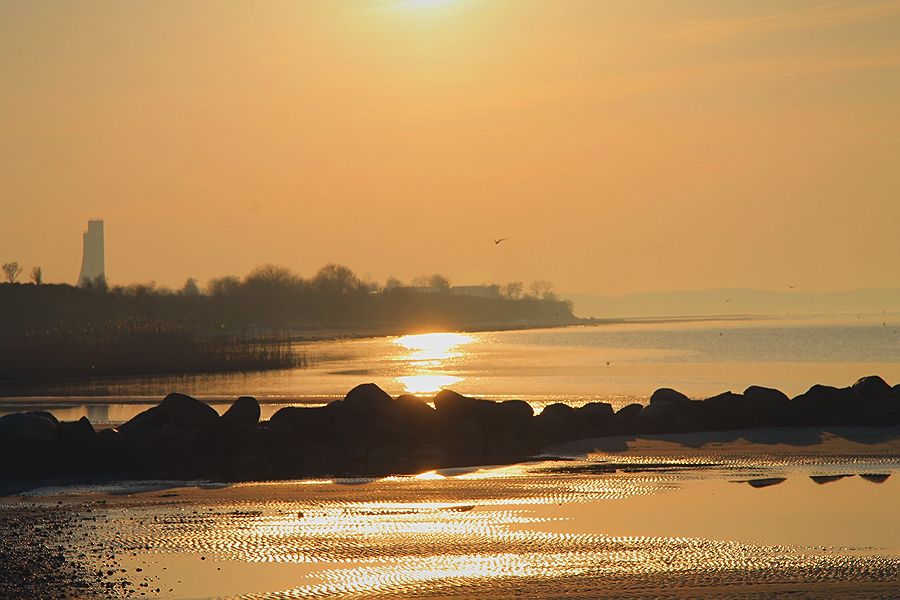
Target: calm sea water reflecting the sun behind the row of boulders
(618, 363)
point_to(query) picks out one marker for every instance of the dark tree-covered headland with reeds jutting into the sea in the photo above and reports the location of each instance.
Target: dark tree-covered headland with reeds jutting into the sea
(53, 330)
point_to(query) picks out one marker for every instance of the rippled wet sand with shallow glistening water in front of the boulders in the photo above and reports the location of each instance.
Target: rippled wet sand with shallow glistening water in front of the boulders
(711, 515)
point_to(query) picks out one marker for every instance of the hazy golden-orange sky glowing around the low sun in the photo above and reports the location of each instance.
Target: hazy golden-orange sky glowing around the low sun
(620, 147)
